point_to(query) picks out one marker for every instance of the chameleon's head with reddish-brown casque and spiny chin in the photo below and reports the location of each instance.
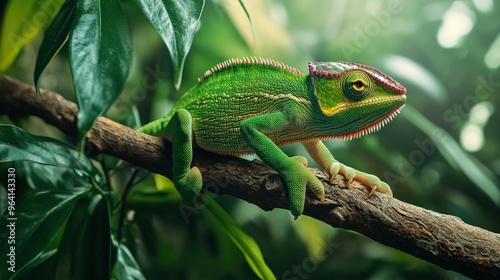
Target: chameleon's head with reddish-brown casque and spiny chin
(356, 99)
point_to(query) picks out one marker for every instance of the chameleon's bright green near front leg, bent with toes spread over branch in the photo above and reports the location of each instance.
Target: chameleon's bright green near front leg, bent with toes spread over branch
(293, 169)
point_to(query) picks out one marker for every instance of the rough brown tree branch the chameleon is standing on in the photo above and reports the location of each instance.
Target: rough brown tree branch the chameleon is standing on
(440, 239)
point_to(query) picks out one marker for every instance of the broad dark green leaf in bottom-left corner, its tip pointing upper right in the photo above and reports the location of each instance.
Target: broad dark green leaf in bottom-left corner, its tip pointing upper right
(37, 217)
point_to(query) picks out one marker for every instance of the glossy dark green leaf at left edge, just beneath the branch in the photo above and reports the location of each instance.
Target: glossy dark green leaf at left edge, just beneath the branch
(17, 144)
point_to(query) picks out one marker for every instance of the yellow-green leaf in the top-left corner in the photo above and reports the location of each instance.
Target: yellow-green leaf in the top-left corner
(22, 22)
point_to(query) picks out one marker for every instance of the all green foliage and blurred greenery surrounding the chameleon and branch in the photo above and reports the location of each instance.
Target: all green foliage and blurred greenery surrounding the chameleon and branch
(441, 154)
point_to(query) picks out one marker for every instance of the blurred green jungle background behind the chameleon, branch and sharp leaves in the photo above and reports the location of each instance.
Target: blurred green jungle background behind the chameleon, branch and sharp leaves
(442, 153)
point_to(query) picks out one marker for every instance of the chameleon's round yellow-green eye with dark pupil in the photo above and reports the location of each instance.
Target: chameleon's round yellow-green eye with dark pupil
(356, 85)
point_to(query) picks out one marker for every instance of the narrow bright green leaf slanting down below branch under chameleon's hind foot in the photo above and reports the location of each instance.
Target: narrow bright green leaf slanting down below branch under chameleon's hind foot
(243, 241)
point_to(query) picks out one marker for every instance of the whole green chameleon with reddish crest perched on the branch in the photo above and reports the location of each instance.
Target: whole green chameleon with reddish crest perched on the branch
(254, 105)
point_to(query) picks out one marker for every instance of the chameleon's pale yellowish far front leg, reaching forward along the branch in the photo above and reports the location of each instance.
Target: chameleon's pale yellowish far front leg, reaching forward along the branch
(324, 158)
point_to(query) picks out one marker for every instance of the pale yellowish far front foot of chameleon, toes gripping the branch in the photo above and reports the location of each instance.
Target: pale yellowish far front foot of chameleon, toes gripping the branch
(366, 179)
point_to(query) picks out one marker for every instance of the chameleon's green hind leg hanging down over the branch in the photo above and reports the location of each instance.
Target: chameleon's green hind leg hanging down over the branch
(187, 180)
